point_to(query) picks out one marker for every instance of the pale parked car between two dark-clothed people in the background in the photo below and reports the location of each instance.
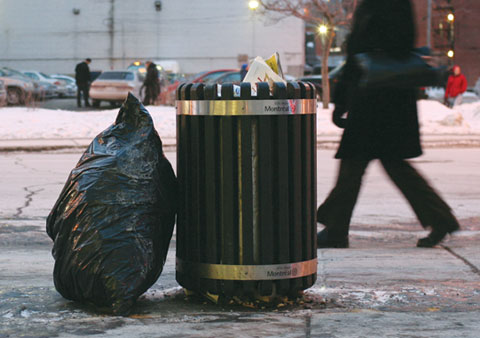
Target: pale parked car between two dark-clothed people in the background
(114, 86)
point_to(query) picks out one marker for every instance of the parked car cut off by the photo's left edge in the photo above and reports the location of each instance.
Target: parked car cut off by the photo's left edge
(20, 88)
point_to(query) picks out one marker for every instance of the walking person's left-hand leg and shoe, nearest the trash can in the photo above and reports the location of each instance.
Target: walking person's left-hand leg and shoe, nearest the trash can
(336, 211)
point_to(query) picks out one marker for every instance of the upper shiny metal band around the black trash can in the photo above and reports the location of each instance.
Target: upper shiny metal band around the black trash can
(247, 107)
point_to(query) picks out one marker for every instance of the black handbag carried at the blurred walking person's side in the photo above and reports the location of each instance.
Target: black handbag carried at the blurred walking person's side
(381, 70)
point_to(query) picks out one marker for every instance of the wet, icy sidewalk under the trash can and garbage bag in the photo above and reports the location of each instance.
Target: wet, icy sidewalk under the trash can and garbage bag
(381, 287)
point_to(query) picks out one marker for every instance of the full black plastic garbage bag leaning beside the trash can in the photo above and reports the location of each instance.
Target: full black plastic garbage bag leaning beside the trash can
(114, 219)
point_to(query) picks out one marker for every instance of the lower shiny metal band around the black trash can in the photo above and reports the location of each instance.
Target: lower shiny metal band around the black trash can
(248, 272)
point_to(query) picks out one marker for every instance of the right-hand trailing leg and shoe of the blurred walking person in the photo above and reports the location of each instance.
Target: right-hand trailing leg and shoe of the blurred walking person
(430, 209)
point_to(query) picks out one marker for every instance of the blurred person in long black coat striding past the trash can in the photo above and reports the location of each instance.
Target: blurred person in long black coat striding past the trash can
(380, 123)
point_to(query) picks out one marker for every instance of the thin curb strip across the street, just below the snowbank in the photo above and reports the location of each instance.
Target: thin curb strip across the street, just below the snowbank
(323, 141)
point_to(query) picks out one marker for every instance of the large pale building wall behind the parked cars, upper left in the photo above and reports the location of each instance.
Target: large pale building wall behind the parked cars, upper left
(200, 34)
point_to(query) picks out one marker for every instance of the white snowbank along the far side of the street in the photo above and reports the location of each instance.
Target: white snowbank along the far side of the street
(30, 123)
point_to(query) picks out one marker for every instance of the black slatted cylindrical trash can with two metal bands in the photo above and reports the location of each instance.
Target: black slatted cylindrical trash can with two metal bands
(246, 166)
